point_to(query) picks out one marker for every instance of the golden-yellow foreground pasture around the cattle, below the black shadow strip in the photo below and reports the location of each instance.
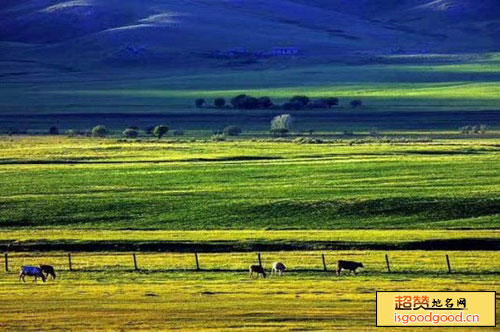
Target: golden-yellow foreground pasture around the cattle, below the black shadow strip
(104, 294)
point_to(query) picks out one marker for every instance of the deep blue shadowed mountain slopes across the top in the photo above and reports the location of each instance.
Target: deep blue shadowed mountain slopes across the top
(100, 31)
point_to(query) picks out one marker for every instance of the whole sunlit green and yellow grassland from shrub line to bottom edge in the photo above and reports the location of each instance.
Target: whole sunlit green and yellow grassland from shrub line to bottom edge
(101, 199)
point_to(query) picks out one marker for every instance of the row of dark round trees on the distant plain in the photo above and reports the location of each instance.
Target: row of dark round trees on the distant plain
(298, 102)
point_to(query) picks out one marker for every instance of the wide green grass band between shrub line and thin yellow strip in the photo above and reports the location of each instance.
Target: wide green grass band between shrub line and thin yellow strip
(89, 183)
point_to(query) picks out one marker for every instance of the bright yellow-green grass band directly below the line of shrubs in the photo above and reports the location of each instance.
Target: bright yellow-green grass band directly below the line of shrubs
(32, 149)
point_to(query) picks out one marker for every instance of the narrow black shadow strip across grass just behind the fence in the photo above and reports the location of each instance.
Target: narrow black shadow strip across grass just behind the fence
(484, 244)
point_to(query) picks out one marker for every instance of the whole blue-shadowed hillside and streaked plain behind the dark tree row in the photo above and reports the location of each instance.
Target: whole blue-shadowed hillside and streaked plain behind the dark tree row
(98, 56)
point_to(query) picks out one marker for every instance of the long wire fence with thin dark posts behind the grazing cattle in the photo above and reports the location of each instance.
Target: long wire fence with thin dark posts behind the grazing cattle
(305, 261)
